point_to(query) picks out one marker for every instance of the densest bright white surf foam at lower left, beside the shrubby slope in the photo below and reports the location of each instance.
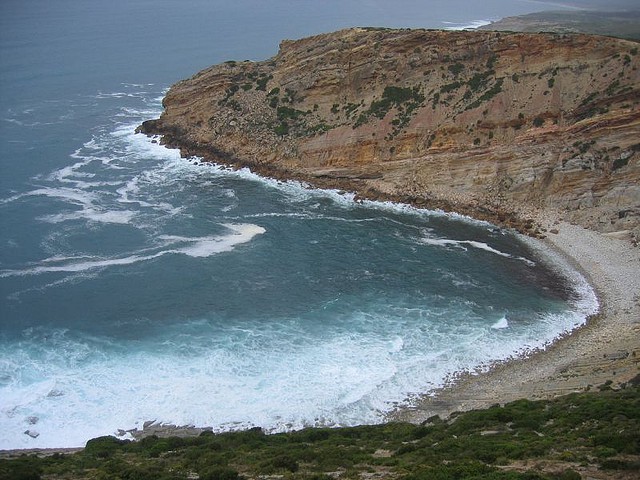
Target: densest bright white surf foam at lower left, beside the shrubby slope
(221, 387)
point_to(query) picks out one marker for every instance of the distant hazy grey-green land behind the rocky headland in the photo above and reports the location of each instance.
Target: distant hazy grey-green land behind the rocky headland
(619, 23)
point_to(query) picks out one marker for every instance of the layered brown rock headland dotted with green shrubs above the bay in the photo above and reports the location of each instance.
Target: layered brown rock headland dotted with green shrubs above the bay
(487, 123)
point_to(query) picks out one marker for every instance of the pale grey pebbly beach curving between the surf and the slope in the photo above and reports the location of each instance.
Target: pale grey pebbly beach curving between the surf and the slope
(606, 349)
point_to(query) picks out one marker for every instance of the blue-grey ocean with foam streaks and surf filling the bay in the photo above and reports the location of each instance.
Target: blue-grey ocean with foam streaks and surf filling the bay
(139, 286)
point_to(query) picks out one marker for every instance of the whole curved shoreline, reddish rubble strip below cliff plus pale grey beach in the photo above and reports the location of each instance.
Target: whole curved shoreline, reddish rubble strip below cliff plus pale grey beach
(604, 349)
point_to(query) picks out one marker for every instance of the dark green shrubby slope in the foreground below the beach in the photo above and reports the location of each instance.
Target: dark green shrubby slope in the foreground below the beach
(566, 438)
